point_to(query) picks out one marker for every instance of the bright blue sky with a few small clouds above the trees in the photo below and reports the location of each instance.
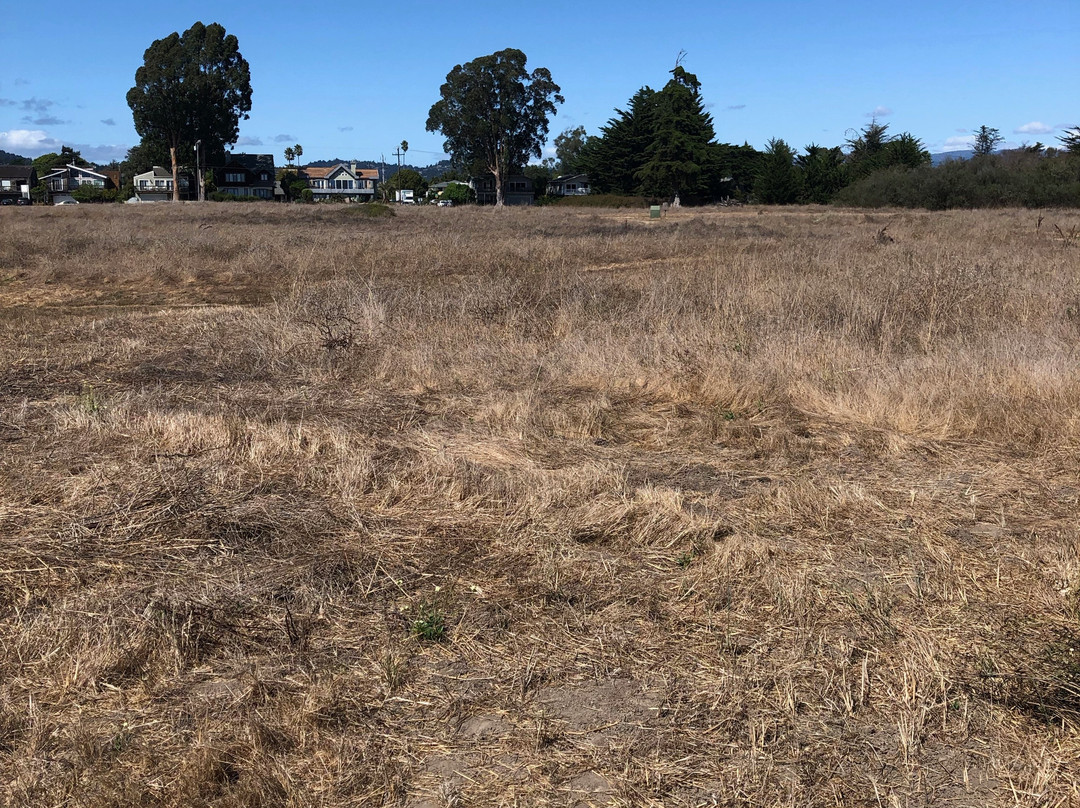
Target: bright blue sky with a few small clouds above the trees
(353, 80)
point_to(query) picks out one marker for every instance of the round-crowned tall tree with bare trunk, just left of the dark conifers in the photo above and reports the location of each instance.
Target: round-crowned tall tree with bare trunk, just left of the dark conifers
(495, 112)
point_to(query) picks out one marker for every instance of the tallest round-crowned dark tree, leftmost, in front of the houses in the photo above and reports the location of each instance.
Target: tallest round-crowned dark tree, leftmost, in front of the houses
(196, 87)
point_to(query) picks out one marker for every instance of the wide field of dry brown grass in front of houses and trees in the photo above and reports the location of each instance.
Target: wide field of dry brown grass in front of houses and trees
(538, 508)
